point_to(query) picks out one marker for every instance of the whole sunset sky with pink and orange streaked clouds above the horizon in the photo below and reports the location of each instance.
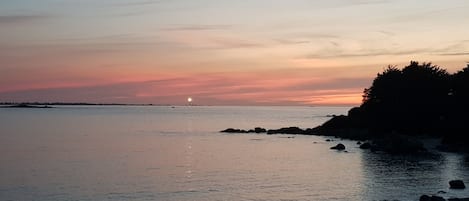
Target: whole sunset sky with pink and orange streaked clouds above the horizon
(220, 52)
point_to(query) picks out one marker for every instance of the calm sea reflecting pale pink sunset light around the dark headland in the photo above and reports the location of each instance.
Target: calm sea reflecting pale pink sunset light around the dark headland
(176, 153)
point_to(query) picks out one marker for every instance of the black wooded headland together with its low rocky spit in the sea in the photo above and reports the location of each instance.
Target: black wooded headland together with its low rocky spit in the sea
(401, 106)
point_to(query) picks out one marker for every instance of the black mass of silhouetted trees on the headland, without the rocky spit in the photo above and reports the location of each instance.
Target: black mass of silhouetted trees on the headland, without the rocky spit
(418, 99)
